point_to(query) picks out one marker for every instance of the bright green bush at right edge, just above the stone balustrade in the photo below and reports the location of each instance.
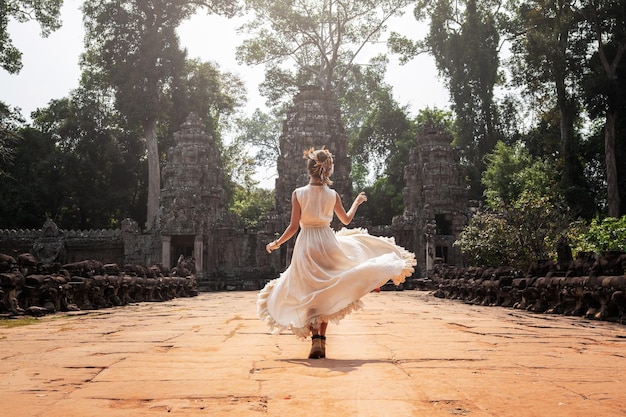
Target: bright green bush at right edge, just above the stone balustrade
(603, 235)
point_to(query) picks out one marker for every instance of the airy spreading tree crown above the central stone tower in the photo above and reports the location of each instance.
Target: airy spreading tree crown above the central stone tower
(311, 42)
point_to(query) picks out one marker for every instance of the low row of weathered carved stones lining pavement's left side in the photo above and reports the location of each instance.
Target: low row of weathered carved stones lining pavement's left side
(29, 286)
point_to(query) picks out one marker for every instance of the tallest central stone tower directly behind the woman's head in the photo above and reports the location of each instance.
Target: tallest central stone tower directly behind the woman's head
(314, 120)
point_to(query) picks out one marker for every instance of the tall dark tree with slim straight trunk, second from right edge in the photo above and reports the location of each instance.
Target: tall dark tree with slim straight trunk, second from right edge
(550, 48)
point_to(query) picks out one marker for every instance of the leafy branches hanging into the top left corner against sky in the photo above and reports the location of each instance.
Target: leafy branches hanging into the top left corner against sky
(46, 13)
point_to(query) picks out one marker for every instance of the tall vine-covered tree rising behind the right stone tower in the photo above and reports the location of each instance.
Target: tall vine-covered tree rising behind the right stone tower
(464, 39)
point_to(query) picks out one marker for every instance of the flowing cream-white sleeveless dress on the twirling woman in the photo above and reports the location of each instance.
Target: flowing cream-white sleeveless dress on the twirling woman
(329, 271)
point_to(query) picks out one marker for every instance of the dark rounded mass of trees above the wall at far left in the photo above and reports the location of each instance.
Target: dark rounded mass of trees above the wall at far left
(77, 165)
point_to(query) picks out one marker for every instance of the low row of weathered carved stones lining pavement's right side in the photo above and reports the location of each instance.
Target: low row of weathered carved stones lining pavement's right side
(590, 286)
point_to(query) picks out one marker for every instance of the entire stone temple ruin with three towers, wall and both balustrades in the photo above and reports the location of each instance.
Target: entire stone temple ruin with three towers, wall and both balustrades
(198, 246)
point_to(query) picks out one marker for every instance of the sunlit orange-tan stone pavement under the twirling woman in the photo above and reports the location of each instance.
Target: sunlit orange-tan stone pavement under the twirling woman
(406, 354)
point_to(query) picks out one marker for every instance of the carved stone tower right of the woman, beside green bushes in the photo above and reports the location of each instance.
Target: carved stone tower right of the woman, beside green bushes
(435, 197)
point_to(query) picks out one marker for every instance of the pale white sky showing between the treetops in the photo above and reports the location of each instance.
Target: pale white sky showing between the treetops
(51, 68)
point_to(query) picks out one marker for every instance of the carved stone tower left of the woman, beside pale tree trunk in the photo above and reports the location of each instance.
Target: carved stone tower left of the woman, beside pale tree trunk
(193, 196)
